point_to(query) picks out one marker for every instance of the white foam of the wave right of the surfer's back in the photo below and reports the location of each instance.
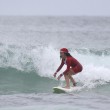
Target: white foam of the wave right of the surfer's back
(95, 70)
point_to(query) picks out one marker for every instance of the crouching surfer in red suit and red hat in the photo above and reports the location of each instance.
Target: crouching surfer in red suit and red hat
(73, 67)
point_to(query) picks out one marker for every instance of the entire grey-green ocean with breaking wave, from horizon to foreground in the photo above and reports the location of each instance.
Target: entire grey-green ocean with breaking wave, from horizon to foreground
(29, 56)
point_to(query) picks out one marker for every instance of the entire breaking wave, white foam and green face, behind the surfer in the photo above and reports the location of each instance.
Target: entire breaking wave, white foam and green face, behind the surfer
(32, 67)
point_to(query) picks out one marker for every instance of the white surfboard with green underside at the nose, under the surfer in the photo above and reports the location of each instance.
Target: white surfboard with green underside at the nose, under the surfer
(60, 89)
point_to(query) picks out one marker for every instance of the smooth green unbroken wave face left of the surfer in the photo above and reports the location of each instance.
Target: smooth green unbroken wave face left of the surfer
(16, 81)
